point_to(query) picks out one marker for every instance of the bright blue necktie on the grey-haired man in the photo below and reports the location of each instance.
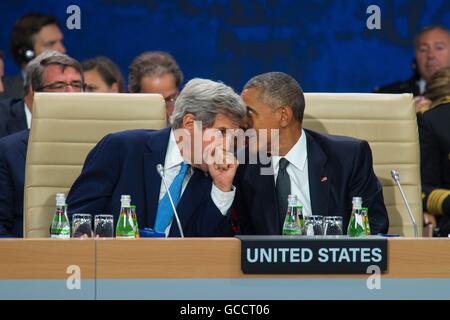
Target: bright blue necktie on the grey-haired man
(165, 212)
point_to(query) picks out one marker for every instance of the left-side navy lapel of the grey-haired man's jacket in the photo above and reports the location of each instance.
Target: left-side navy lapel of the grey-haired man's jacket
(155, 154)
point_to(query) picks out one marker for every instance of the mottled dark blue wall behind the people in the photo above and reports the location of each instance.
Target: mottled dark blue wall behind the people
(324, 44)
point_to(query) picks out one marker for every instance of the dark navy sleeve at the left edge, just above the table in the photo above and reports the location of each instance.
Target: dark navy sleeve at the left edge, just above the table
(7, 196)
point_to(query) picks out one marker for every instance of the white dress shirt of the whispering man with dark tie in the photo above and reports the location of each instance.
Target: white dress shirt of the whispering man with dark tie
(298, 172)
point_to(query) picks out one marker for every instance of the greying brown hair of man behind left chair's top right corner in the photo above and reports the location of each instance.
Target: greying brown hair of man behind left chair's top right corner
(153, 63)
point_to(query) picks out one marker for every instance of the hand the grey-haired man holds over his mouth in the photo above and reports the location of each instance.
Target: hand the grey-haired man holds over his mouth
(223, 169)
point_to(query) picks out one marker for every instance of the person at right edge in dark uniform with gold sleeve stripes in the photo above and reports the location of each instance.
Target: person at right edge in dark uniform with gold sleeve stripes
(434, 134)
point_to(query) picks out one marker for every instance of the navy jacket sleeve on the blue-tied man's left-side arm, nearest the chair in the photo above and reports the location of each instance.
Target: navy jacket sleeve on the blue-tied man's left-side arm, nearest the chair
(94, 187)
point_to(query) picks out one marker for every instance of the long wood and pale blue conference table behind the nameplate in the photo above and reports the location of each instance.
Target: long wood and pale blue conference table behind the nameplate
(204, 269)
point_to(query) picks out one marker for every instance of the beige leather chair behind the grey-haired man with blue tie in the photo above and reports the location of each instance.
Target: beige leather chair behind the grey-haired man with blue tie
(65, 127)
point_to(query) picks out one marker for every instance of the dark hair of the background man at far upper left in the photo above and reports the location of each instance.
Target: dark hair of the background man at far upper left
(24, 30)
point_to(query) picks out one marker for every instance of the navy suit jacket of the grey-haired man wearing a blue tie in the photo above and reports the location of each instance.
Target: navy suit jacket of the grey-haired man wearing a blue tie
(125, 163)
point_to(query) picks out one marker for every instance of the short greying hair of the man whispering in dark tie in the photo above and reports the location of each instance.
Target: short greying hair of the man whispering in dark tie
(279, 89)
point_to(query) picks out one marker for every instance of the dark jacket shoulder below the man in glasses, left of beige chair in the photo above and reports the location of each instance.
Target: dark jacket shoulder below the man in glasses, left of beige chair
(12, 117)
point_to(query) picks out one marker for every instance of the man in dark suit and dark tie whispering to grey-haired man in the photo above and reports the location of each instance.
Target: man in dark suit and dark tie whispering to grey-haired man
(324, 171)
